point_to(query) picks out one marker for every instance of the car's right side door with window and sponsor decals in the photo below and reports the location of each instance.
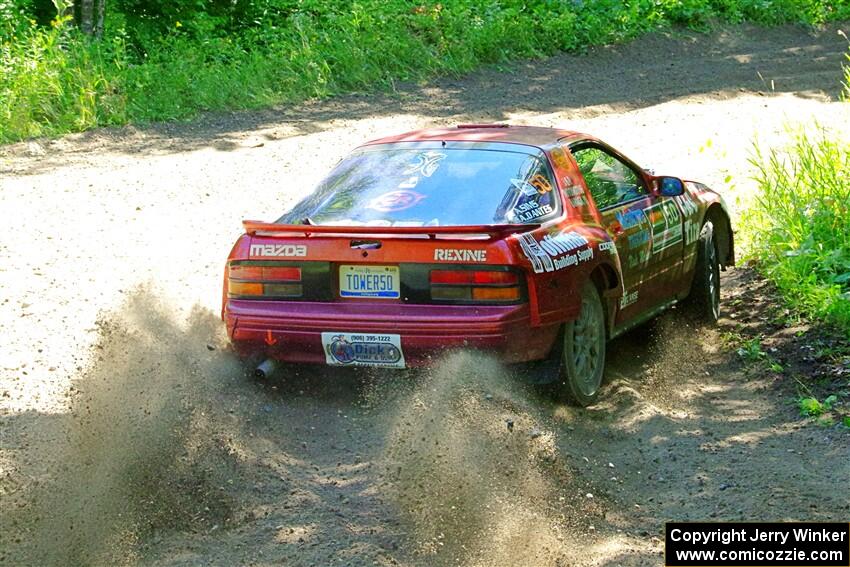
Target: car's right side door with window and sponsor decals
(646, 229)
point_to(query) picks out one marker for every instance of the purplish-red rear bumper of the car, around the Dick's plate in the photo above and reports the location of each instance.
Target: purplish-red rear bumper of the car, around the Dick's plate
(295, 329)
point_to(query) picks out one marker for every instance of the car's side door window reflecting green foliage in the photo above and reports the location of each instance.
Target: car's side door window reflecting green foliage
(610, 181)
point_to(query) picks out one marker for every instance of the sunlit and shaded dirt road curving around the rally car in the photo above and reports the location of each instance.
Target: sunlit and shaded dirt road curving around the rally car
(129, 436)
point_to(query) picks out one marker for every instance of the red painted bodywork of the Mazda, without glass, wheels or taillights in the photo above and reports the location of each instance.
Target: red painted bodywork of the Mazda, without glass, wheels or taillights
(640, 255)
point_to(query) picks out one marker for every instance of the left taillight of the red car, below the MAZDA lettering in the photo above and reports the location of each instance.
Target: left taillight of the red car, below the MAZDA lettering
(264, 279)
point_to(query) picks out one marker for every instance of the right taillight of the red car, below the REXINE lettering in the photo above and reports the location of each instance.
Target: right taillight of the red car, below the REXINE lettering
(475, 286)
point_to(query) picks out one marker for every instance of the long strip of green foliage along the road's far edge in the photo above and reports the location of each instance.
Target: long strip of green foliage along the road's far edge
(170, 59)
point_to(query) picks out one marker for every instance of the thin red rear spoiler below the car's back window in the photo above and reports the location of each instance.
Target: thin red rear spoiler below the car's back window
(492, 230)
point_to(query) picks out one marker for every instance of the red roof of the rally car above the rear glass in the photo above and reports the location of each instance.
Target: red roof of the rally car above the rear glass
(537, 136)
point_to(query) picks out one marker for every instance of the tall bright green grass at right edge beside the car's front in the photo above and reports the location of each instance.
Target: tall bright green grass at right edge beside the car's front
(797, 228)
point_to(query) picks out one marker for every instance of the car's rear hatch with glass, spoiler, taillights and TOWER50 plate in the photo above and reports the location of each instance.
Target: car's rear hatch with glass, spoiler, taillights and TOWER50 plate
(407, 222)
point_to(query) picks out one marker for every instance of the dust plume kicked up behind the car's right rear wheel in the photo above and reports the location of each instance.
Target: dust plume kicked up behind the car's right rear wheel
(473, 464)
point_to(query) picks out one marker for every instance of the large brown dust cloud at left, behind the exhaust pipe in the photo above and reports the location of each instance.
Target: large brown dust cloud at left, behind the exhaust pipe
(138, 451)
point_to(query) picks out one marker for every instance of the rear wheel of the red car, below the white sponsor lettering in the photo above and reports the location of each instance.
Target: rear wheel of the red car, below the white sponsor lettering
(583, 355)
